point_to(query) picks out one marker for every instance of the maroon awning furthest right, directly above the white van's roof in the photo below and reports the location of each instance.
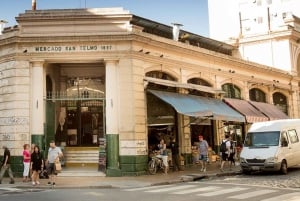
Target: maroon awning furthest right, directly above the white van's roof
(269, 110)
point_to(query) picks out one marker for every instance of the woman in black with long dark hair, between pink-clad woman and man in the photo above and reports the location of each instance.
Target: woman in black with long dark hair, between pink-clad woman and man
(37, 164)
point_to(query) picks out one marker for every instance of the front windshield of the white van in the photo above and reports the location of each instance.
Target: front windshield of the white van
(262, 139)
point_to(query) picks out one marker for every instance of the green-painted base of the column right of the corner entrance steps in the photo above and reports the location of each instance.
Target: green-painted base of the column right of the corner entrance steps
(112, 143)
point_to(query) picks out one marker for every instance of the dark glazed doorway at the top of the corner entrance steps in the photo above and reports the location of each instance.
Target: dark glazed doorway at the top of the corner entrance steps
(84, 123)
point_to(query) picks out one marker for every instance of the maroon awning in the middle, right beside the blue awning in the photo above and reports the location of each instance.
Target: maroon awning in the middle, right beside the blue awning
(249, 111)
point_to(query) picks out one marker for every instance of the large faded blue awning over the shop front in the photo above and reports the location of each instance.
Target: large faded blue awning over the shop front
(199, 106)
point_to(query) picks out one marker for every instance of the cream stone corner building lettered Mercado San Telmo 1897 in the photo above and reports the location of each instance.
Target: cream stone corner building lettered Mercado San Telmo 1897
(107, 85)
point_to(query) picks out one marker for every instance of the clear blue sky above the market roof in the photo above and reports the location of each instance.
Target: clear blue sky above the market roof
(192, 14)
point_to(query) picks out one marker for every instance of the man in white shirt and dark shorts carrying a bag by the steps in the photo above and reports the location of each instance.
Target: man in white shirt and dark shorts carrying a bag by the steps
(54, 153)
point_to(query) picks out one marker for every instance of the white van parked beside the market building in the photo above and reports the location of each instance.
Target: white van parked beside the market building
(271, 146)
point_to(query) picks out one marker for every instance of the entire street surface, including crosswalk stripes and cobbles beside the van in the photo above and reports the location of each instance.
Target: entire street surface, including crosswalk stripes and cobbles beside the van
(254, 187)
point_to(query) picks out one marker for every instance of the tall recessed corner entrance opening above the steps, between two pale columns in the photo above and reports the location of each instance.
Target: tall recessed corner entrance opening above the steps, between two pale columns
(76, 103)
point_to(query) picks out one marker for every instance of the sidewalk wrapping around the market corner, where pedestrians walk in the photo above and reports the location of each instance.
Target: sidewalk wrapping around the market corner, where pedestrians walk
(74, 181)
